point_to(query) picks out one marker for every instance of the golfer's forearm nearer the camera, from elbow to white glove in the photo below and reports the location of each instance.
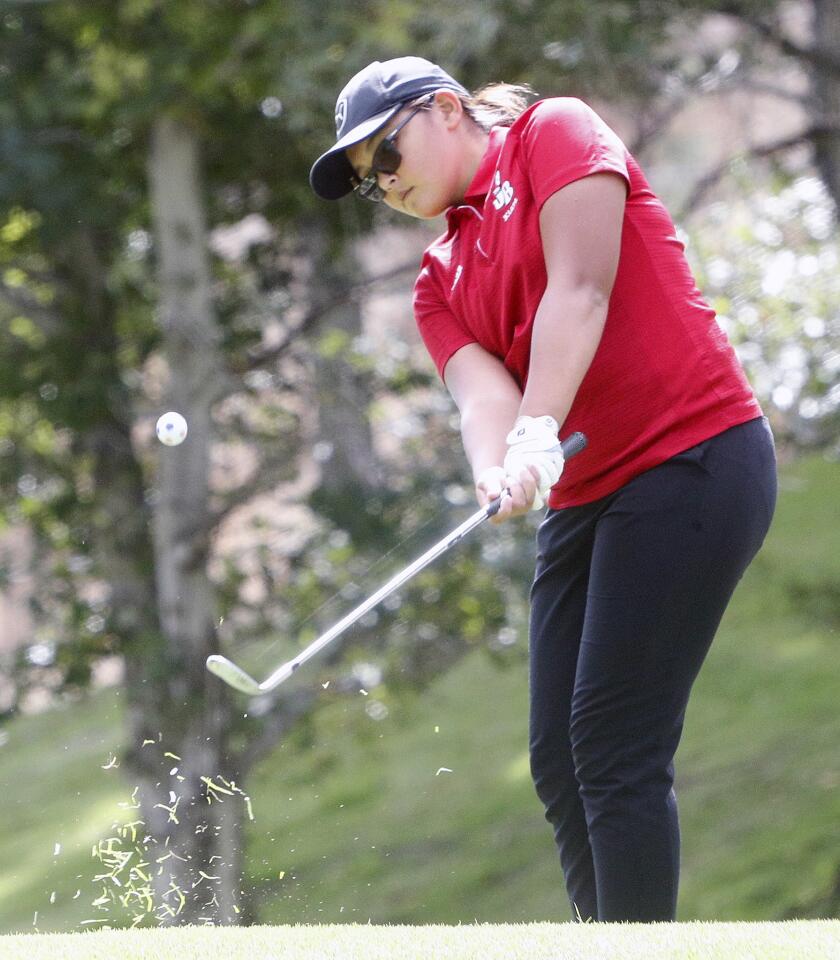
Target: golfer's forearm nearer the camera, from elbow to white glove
(567, 330)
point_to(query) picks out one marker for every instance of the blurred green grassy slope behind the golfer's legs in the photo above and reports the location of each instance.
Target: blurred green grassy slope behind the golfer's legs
(359, 823)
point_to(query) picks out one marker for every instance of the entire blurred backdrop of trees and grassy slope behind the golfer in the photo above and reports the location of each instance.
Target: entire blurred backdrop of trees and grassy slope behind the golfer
(160, 250)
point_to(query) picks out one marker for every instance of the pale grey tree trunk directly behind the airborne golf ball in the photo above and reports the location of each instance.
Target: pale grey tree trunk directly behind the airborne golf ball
(180, 712)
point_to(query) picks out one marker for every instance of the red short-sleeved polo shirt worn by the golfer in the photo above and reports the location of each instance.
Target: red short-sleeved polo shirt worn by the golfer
(664, 376)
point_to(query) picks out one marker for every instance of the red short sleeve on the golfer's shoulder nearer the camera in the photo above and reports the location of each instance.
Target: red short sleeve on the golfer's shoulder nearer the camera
(564, 140)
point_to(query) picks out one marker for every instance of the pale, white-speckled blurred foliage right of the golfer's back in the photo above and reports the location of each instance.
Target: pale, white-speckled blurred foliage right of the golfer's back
(768, 261)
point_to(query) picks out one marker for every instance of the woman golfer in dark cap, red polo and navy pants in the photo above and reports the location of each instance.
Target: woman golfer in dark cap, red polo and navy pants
(559, 299)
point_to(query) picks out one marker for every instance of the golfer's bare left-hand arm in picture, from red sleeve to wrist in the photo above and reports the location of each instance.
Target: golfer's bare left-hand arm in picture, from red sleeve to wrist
(488, 400)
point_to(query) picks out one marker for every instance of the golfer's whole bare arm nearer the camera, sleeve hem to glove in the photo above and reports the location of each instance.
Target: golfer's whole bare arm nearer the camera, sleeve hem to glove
(580, 226)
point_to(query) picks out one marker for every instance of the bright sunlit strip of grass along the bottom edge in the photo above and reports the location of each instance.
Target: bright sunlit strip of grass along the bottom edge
(815, 940)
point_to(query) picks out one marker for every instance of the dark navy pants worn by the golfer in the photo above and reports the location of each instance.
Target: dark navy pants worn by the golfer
(627, 596)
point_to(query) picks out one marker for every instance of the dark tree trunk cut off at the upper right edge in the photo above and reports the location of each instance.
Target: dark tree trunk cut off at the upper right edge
(826, 86)
